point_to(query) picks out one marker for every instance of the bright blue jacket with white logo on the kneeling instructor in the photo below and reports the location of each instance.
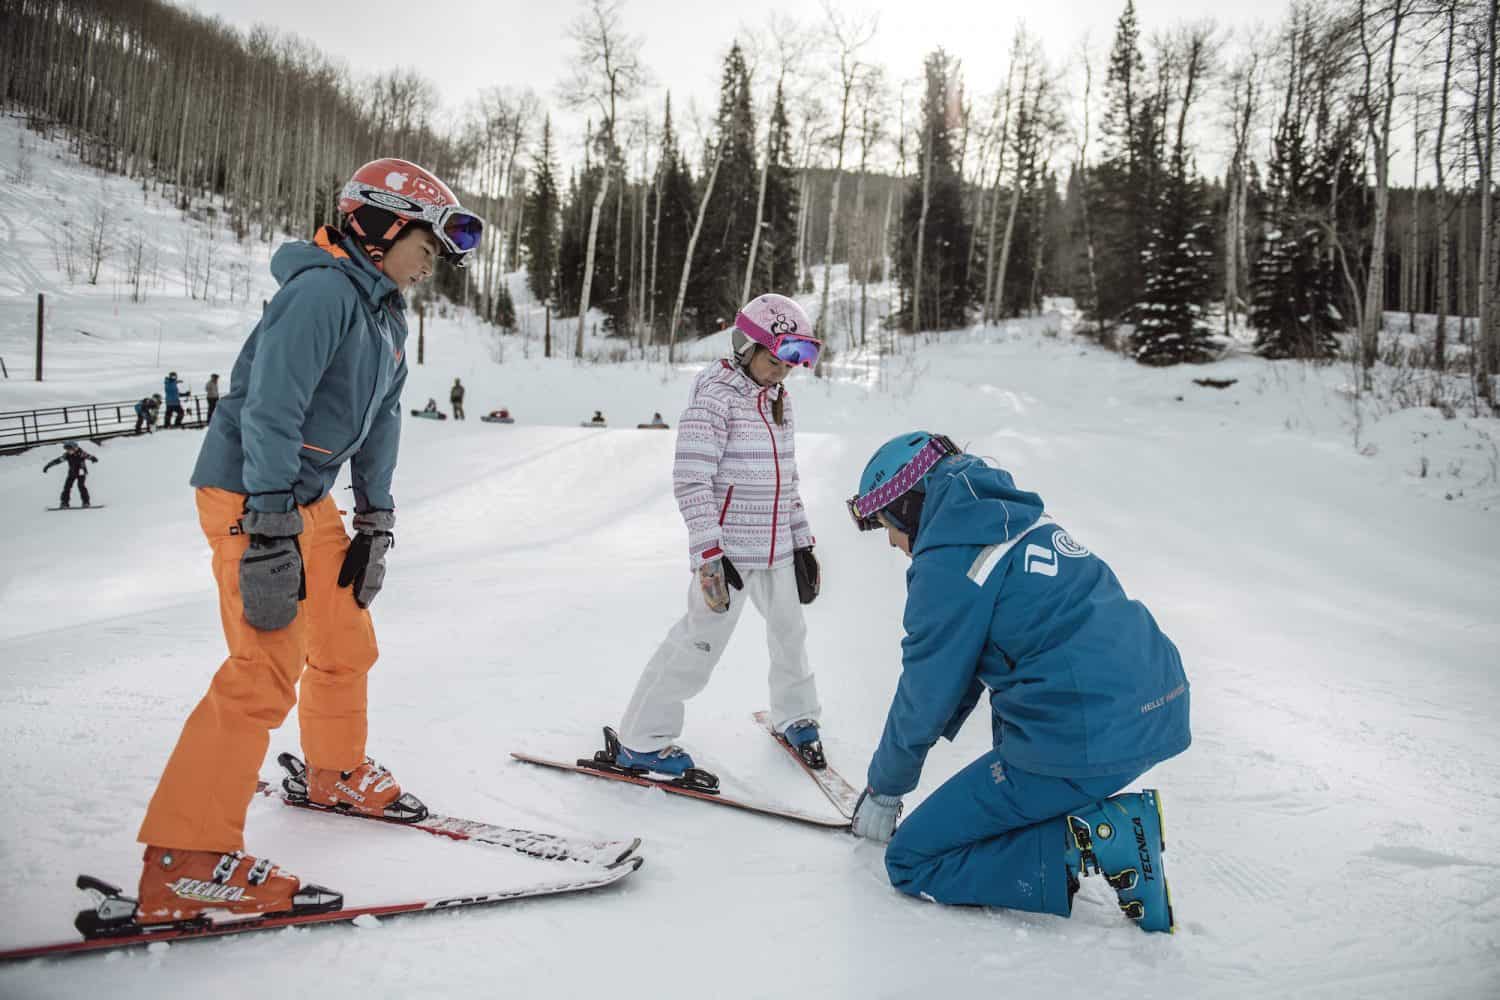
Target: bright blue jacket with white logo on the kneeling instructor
(1001, 599)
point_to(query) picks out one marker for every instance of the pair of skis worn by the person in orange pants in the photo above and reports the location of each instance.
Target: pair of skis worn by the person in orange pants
(110, 924)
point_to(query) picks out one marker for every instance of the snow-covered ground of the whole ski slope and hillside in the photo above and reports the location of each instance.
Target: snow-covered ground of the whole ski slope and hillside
(1325, 833)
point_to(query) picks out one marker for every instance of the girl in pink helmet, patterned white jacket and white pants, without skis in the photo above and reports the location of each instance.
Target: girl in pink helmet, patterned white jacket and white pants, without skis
(737, 488)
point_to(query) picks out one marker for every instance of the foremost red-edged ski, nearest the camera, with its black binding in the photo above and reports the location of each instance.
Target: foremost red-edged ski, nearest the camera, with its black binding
(112, 924)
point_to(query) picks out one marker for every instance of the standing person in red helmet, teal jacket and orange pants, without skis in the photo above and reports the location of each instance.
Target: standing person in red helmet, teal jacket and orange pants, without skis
(317, 385)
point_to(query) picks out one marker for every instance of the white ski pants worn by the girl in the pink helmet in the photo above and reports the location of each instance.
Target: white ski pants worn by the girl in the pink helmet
(689, 654)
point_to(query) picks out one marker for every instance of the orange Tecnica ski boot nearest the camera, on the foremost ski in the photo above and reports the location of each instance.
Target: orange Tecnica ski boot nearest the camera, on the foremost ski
(190, 885)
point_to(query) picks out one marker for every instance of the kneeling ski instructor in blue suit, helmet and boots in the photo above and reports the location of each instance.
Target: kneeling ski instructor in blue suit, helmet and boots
(1087, 695)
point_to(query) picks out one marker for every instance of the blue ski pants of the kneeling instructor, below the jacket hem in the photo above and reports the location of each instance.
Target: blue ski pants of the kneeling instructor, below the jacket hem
(995, 836)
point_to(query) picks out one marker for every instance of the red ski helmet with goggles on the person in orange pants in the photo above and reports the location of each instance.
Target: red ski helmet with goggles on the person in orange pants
(385, 196)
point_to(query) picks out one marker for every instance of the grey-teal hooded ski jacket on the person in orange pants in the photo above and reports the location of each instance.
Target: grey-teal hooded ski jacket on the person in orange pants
(317, 385)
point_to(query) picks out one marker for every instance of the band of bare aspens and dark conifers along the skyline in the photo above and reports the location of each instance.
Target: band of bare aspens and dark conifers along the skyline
(1304, 182)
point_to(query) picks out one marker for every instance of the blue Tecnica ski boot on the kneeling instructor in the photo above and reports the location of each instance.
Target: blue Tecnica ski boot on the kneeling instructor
(1121, 839)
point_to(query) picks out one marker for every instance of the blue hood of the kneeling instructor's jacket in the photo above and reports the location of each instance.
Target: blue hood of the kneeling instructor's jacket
(974, 504)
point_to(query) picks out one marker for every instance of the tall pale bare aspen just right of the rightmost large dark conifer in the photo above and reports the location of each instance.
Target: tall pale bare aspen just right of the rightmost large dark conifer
(1378, 109)
